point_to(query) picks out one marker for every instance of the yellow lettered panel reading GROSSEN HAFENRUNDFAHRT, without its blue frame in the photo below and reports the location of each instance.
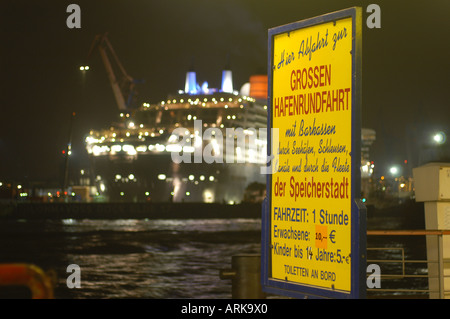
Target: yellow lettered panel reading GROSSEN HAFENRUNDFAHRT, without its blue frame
(310, 209)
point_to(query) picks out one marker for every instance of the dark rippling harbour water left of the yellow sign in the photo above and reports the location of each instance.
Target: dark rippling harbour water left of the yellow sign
(133, 258)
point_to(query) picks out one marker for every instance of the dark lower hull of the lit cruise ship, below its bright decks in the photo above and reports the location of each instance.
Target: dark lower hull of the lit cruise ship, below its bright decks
(157, 178)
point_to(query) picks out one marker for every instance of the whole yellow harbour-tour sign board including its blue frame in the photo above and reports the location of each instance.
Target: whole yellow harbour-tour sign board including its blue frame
(313, 230)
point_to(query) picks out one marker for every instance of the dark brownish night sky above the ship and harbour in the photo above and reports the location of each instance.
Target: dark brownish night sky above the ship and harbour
(406, 68)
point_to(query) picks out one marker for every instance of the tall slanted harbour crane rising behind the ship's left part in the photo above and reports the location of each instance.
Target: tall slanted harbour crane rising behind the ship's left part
(123, 85)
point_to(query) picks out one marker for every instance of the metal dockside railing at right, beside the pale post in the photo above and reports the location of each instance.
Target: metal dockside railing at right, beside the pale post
(402, 274)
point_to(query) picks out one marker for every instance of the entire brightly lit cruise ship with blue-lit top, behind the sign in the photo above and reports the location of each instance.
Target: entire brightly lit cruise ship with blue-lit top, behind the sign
(176, 150)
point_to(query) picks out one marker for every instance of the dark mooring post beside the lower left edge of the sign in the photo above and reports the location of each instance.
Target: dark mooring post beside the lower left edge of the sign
(245, 275)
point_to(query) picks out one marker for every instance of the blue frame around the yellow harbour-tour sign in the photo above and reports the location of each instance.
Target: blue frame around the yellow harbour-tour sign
(358, 210)
